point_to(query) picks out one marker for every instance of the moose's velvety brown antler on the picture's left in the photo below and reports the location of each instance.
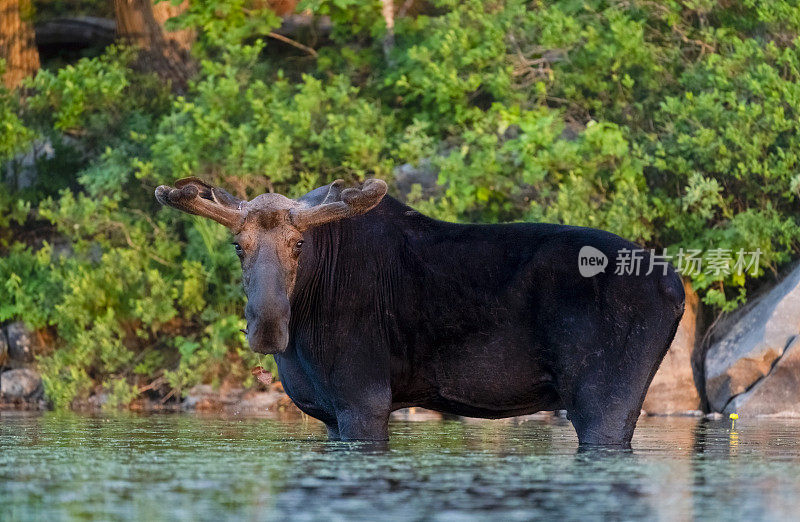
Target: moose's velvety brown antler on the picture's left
(194, 196)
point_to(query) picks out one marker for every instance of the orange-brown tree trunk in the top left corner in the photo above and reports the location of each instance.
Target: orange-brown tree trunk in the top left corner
(17, 44)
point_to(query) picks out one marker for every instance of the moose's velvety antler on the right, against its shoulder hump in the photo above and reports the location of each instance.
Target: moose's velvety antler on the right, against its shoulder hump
(353, 202)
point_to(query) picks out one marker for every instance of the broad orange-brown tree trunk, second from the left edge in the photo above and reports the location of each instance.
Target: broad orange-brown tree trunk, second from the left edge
(141, 23)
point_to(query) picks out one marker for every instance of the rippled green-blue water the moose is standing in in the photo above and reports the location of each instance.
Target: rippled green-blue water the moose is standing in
(67, 466)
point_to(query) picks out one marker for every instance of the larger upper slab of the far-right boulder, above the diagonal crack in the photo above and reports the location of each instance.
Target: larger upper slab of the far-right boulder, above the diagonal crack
(751, 342)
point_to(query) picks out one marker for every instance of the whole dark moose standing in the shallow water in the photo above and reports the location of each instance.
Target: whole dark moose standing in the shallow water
(369, 306)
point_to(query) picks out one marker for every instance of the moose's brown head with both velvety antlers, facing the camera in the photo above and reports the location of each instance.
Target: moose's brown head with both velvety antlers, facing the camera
(268, 238)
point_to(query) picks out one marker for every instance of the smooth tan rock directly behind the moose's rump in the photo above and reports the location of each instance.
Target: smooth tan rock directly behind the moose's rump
(673, 390)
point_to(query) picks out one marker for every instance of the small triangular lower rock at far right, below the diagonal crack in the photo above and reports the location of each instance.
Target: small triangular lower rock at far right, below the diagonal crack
(778, 393)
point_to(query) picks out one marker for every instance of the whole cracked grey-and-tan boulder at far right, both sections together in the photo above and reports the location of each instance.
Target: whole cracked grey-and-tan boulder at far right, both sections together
(752, 345)
